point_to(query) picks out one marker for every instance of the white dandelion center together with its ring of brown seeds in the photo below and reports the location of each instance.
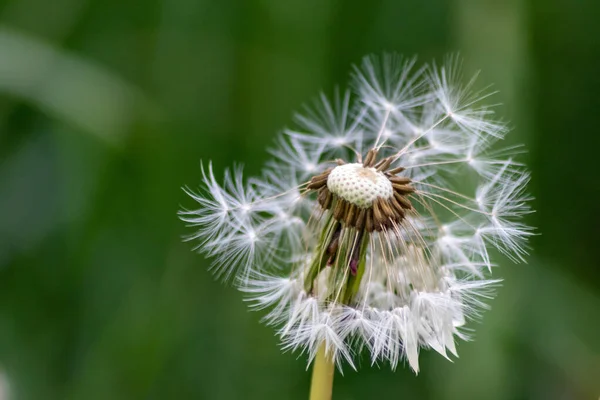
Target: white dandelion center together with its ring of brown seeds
(364, 196)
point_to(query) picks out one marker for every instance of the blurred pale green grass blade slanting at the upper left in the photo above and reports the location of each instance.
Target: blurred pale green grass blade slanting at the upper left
(67, 87)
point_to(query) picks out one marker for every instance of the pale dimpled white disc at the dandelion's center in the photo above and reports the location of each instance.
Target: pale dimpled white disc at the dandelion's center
(359, 185)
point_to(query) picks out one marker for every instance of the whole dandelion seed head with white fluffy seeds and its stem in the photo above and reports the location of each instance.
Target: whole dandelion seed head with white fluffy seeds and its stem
(370, 231)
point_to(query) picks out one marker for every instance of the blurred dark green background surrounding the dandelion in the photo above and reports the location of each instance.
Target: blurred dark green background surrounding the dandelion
(107, 108)
